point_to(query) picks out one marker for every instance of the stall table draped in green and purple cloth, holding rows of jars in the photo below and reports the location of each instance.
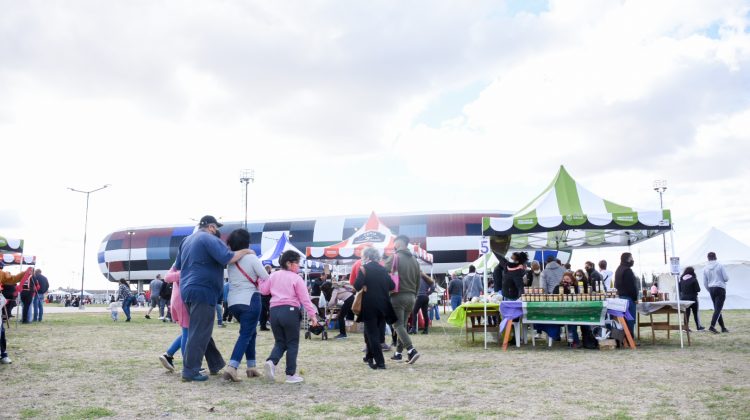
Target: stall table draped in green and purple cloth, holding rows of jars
(565, 313)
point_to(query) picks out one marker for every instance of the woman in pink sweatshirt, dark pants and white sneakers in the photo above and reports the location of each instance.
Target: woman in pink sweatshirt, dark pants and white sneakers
(288, 293)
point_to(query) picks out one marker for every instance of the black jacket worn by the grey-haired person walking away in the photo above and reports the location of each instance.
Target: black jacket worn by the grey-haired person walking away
(376, 302)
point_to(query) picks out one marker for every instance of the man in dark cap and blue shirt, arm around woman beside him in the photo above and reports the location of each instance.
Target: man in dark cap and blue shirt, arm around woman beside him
(201, 260)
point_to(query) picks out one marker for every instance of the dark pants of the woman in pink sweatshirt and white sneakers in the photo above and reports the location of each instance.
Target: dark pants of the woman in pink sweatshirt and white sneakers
(285, 325)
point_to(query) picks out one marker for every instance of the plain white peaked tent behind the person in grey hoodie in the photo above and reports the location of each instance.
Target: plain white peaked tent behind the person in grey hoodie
(733, 255)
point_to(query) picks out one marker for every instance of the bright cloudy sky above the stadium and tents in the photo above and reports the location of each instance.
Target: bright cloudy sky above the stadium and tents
(349, 107)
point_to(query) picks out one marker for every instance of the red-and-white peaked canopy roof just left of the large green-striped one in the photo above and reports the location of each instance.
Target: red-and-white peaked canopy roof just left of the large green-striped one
(372, 234)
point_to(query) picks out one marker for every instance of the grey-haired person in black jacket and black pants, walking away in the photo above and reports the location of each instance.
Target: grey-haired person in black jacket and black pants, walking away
(376, 305)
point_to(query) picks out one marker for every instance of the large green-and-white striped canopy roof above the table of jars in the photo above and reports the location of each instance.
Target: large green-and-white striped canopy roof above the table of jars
(565, 215)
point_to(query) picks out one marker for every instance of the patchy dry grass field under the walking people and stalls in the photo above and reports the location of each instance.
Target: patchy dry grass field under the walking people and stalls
(86, 366)
